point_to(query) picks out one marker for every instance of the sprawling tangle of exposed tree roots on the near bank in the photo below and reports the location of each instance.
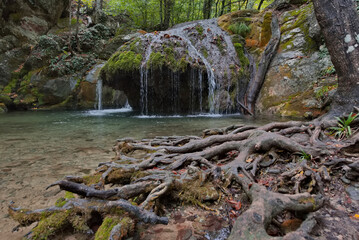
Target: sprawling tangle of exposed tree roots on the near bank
(255, 177)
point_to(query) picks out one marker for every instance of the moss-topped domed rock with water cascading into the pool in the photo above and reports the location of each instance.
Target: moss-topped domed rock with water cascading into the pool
(183, 70)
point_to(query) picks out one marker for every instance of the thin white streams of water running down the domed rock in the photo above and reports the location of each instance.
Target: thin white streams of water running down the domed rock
(155, 39)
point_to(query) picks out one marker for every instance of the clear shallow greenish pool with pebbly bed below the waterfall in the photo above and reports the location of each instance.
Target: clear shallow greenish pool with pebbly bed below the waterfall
(39, 148)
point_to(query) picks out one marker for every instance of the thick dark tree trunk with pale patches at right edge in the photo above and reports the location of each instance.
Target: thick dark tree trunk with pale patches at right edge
(339, 22)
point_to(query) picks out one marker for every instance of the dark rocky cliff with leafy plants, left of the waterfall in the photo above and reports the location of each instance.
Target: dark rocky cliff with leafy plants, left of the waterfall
(37, 68)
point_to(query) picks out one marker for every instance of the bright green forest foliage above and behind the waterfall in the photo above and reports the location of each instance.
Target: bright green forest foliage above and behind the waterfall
(161, 14)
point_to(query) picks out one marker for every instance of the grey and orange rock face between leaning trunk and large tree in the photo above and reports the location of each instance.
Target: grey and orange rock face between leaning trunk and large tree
(287, 89)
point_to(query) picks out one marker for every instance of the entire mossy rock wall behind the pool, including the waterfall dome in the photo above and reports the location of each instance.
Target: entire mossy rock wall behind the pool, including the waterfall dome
(198, 67)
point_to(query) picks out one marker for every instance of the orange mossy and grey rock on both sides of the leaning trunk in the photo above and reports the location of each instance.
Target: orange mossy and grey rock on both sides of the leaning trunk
(297, 82)
